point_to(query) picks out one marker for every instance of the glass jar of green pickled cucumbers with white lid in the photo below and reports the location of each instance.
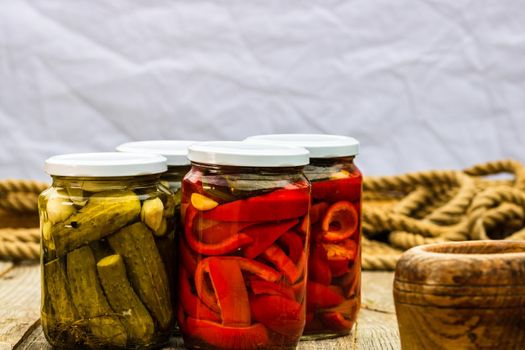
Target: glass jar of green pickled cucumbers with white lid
(105, 221)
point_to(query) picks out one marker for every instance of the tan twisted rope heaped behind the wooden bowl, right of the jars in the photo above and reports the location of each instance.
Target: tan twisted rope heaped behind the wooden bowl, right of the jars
(441, 206)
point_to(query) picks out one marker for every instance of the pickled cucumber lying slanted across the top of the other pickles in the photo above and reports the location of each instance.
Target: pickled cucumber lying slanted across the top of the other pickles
(105, 213)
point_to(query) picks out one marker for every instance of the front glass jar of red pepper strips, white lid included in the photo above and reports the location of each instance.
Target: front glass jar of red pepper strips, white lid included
(243, 255)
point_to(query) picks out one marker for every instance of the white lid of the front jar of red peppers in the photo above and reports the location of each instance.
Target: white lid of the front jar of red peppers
(239, 153)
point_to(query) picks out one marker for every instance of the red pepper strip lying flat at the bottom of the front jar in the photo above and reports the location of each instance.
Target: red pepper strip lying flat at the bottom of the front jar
(224, 337)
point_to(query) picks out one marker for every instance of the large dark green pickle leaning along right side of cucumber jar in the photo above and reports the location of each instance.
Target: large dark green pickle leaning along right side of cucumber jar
(145, 269)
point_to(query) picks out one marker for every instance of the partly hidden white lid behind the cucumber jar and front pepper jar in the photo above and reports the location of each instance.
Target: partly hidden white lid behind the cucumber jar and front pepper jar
(175, 151)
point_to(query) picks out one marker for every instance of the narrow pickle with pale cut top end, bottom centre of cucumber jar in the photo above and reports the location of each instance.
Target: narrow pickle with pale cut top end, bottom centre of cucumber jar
(124, 301)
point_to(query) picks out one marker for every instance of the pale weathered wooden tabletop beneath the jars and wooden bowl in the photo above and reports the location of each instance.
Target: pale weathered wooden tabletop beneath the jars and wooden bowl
(20, 308)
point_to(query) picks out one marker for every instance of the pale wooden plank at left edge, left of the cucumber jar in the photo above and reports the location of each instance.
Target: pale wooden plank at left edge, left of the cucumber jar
(20, 303)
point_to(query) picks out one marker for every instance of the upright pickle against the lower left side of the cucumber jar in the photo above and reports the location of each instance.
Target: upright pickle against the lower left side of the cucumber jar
(59, 311)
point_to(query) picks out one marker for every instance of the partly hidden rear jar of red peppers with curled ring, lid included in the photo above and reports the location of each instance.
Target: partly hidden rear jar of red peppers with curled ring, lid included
(334, 267)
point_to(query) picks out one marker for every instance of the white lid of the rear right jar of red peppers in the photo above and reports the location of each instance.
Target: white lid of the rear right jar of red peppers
(319, 145)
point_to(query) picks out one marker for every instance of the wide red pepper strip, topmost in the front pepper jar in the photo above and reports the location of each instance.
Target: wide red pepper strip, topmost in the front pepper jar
(277, 205)
